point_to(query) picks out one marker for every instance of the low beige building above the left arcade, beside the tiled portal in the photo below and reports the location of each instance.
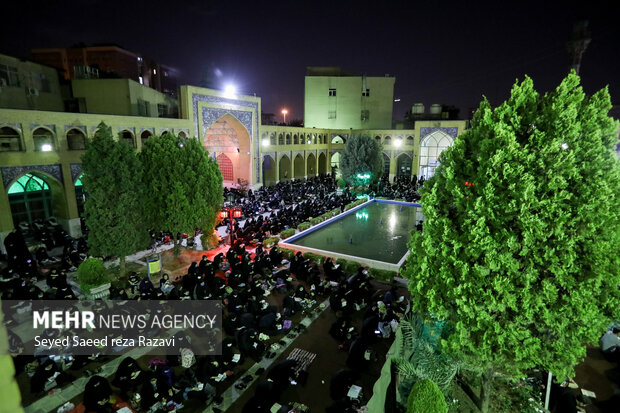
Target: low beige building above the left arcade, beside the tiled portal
(123, 97)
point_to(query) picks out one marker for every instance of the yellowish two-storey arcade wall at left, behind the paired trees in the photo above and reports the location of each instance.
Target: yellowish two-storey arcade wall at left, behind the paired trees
(63, 166)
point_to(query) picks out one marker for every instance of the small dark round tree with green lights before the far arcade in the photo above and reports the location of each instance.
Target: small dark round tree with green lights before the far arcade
(361, 155)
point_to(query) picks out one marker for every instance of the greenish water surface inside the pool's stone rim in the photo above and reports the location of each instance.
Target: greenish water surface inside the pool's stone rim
(379, 232)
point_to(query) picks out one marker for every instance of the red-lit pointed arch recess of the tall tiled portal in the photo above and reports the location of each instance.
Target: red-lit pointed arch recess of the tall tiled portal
(228, 137)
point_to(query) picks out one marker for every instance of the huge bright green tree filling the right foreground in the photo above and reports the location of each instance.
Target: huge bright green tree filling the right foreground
(520, 250)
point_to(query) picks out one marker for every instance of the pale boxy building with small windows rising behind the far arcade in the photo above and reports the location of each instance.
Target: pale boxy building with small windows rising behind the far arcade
(344, 110)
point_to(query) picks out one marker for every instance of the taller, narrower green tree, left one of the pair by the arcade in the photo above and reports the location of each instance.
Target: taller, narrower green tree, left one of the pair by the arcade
(113, 213)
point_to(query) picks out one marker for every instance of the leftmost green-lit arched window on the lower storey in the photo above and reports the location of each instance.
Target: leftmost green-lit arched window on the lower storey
(30, 199)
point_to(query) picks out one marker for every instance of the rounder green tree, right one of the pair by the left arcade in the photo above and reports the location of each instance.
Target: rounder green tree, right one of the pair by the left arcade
(183, 184)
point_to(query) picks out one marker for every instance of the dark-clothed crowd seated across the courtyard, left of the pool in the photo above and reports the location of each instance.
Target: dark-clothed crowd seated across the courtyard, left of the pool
(243, 283)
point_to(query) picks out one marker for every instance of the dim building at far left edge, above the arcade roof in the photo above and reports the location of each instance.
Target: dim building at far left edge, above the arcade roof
(35, 86)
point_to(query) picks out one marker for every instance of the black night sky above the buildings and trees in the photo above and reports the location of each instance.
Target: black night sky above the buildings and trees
(440, 51)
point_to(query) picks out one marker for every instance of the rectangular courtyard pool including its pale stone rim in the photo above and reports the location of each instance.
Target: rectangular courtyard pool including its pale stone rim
(374, 233)
